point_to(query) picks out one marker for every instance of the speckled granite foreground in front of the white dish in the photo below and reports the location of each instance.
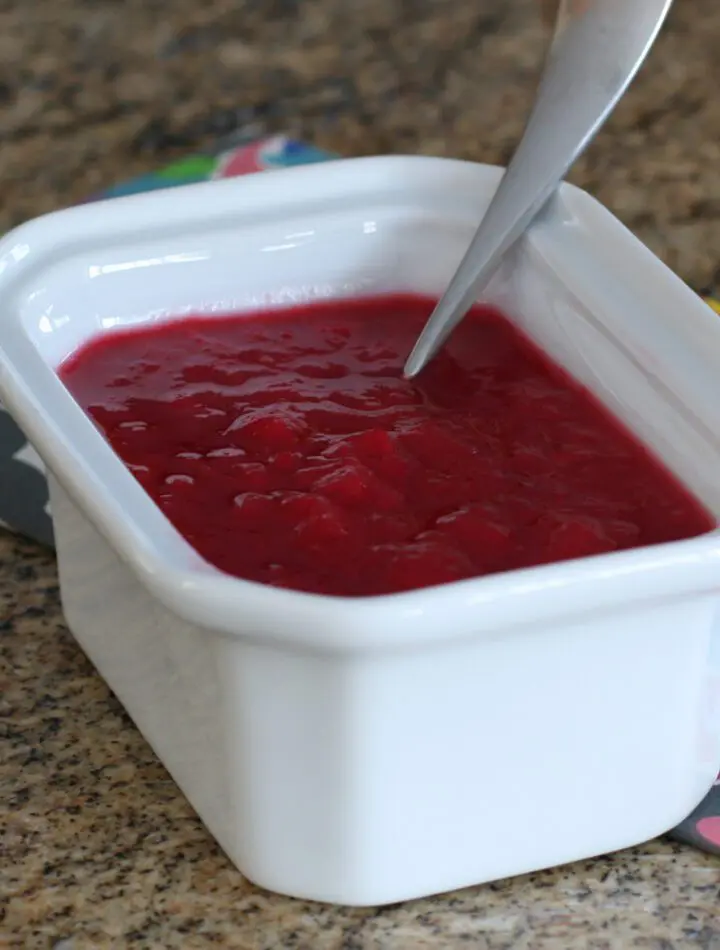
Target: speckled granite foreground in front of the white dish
(101, 851)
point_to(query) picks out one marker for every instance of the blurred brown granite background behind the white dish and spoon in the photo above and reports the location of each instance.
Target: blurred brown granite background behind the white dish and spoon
(93, 89)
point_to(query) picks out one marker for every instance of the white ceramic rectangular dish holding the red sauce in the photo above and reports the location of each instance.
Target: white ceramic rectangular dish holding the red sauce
(367, 751)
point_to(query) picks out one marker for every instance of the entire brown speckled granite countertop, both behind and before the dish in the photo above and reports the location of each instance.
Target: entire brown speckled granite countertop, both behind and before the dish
(100, 848)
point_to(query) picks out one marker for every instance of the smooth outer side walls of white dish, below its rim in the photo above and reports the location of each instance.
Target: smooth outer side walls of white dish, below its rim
(365, 780)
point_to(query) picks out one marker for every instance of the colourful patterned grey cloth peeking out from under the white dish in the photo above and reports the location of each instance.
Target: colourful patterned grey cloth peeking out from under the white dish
(23, 490)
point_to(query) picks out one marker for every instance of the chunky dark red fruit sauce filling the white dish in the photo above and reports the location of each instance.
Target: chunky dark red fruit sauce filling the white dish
(288, 449)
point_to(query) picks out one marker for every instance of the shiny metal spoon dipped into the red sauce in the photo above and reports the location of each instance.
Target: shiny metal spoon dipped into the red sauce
(597, 48)
